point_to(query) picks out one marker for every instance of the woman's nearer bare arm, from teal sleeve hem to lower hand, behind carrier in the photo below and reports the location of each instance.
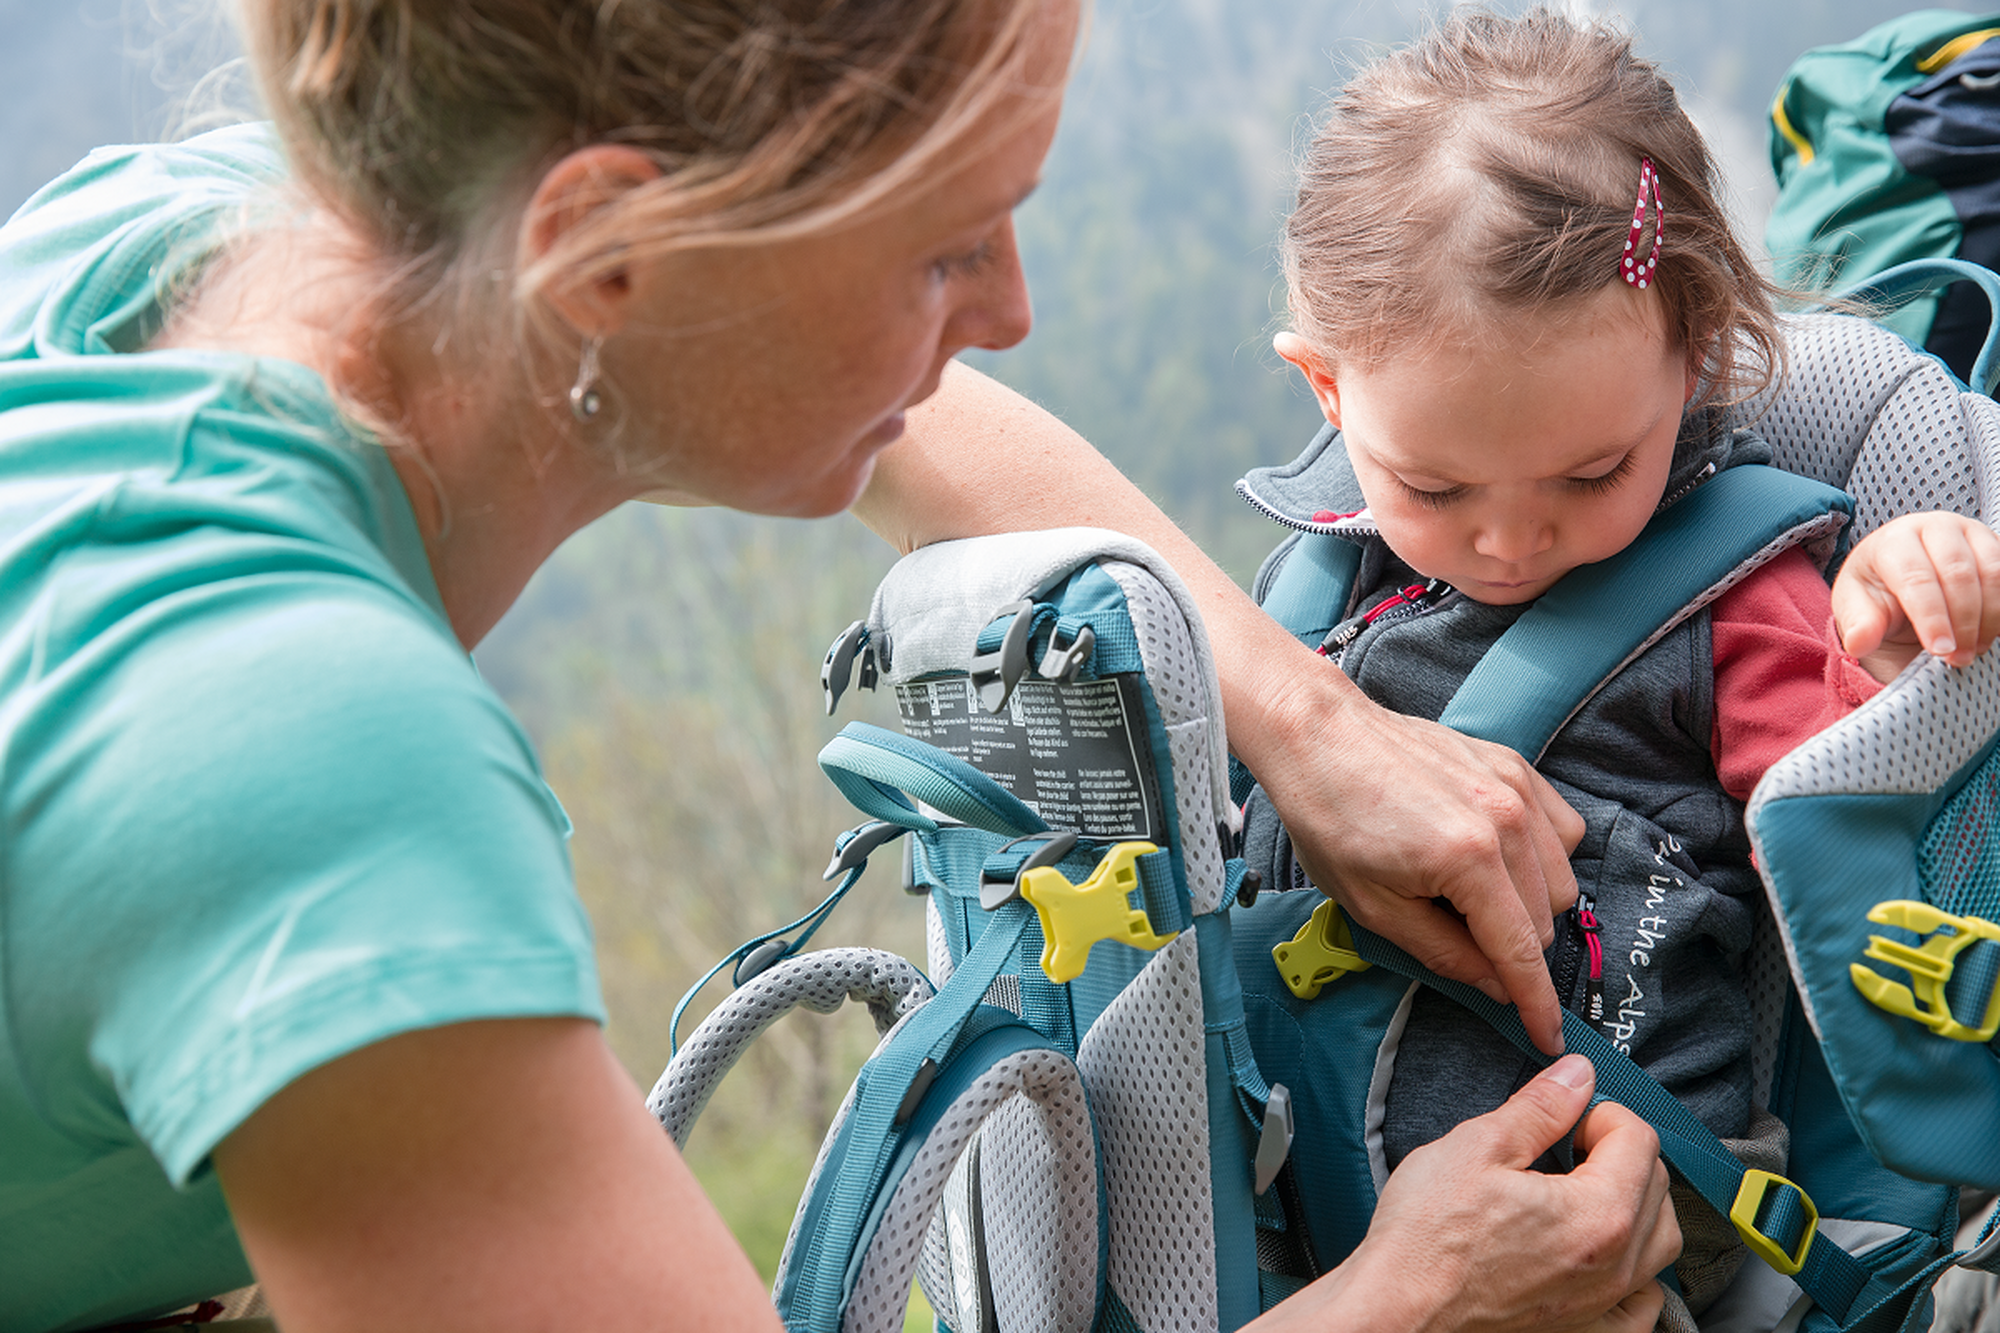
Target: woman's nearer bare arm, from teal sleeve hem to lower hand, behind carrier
(507, 1176)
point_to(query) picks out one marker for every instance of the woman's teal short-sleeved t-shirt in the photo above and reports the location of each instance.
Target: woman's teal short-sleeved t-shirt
(257, 808)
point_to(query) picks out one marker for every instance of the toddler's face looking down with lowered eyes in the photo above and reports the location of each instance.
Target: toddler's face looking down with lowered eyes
(1505, 467)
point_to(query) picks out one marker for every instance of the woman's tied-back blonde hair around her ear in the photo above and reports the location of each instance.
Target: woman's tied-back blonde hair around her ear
(421, 121)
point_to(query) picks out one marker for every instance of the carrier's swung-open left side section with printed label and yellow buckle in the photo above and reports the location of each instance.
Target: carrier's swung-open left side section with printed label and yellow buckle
(1065, 1134)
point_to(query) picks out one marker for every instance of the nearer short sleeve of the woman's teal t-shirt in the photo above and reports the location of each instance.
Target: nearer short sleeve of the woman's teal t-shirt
(263, 824)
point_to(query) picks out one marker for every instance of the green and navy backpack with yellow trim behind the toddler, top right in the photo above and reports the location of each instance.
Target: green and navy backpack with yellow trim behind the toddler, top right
(1887, 149)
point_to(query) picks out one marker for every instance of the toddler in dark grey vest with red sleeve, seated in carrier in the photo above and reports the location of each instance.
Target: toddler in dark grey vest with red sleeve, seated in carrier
(1523, 371)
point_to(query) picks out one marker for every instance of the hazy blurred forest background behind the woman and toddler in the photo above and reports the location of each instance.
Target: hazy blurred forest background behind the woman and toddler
(667, 661)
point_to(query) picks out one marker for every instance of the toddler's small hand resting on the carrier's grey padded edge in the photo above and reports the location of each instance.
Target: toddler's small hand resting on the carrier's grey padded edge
(1923, 583)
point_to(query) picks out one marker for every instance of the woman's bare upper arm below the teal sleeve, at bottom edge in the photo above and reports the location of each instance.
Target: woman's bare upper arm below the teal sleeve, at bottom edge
(487, 1178)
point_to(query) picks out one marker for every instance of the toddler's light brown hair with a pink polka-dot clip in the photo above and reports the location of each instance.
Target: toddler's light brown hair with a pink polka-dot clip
(1491, 171)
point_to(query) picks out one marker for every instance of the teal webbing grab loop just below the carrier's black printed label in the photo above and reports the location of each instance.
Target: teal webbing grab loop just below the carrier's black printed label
(875, 768)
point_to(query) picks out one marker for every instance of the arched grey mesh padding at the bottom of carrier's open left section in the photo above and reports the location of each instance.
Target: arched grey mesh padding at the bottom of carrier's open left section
(1067, 1224)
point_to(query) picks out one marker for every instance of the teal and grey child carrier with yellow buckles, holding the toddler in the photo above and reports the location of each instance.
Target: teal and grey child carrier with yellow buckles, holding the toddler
(1109, 1108)
